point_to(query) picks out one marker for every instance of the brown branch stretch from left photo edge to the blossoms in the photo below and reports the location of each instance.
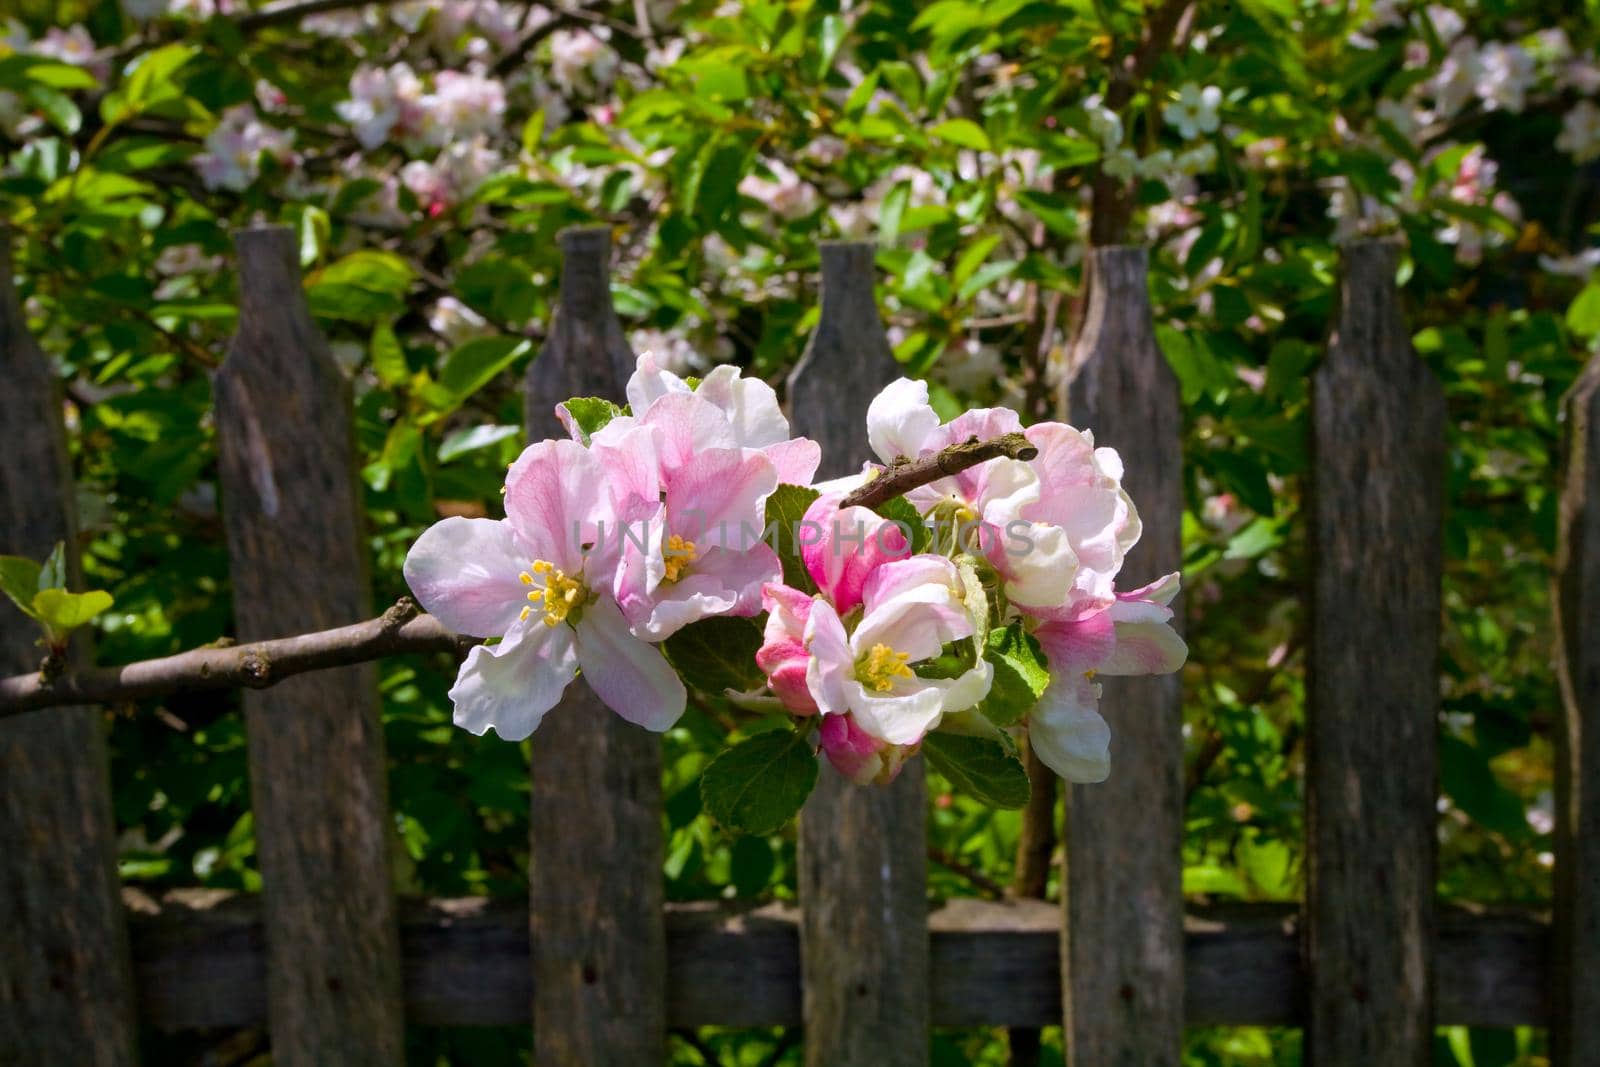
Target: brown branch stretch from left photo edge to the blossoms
(255, 666)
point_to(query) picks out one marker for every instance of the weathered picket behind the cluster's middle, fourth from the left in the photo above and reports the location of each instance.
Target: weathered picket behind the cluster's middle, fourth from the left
(863, 863)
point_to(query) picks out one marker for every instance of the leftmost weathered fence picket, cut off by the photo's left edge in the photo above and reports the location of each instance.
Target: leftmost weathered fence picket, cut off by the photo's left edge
(66, 996)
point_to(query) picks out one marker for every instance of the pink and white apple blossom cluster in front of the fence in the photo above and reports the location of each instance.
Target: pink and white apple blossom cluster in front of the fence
(654, 519)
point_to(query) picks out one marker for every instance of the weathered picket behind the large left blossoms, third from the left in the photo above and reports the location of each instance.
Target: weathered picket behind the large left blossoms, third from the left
(594, 869)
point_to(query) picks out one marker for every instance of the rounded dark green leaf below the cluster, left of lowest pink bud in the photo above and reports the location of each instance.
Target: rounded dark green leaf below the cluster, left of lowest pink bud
(761, 785)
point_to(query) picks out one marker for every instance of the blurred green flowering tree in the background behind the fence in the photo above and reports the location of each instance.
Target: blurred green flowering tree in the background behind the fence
(428, 154)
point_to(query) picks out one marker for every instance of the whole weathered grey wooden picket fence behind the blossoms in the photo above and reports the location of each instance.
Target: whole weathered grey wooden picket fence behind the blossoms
(599, 964)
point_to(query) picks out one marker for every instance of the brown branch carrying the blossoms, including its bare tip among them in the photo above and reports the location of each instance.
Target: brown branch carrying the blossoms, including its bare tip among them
(396, 633)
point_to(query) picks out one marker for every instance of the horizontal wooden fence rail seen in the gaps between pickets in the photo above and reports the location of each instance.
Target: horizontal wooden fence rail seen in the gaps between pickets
(201, 962)
